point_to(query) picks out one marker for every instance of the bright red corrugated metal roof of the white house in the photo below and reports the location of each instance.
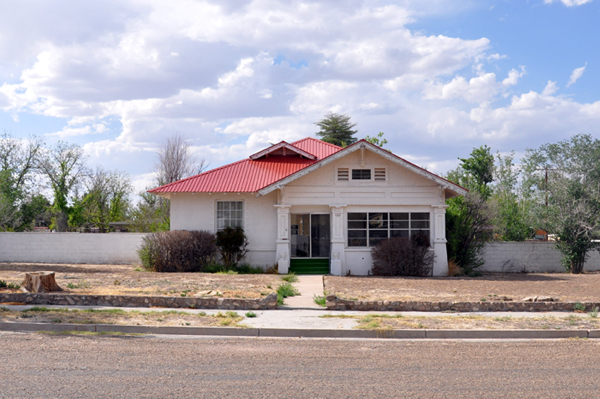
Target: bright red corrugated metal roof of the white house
(251, 175)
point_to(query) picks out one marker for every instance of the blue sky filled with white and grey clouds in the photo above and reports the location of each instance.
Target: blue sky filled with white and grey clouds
(438, 77)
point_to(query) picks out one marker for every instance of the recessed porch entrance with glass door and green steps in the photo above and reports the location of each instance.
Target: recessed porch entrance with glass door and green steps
(310, 243)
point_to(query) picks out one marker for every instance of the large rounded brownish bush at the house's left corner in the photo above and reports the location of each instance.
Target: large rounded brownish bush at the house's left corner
(178, 251)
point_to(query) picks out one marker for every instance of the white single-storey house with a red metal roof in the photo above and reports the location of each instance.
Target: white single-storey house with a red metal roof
(313, 207)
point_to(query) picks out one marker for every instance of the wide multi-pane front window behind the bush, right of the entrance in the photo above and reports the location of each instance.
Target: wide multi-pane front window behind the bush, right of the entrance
(367, 229)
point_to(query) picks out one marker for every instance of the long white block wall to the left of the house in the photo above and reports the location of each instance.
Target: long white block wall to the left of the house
(110, 248)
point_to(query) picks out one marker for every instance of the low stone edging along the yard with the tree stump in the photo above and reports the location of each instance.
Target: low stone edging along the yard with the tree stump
(267, 303)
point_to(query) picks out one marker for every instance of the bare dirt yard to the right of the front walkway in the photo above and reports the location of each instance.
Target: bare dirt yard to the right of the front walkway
(491, 287)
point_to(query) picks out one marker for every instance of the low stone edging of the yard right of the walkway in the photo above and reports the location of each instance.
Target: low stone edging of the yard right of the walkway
(335, 303)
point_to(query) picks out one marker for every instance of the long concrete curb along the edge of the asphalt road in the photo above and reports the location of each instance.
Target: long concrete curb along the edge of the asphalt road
(301, 332)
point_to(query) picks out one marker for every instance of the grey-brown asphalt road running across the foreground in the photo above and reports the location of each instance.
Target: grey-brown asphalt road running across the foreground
(43, 366)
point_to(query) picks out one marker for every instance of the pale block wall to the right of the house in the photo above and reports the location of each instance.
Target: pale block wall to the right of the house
(530, 256)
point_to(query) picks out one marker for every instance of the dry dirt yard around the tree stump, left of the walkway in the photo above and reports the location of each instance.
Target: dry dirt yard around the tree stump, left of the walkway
(125, 280)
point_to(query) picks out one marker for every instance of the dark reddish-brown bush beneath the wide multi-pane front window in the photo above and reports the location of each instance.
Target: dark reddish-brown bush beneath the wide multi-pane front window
(403, 257)
